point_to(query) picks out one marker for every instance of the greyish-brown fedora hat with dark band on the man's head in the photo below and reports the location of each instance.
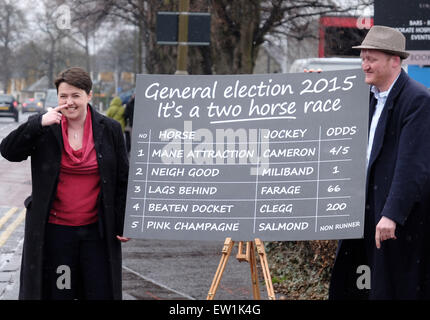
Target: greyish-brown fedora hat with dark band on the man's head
(385, 39)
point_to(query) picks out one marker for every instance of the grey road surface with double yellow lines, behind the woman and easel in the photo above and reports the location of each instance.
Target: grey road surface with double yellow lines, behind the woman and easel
(152, 270)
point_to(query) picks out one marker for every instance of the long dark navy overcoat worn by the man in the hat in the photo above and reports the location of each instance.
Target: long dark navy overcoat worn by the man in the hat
(398, 187)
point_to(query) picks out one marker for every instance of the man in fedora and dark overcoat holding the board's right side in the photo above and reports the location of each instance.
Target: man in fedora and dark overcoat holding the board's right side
(395, 251)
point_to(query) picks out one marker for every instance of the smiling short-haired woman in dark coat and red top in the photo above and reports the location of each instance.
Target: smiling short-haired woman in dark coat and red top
(75, 216)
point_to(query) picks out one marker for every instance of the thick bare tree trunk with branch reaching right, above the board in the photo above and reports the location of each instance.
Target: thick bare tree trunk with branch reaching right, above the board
(240, 27)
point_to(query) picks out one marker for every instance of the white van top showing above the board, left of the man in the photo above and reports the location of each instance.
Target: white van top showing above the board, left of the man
(325, 64)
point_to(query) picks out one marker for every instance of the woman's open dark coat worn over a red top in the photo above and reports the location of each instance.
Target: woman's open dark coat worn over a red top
(45, 145)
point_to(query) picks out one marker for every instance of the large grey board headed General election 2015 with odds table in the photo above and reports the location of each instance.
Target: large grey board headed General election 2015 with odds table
(275, 157)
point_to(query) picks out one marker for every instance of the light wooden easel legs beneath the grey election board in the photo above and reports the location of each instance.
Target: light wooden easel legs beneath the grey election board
(248, 256)
